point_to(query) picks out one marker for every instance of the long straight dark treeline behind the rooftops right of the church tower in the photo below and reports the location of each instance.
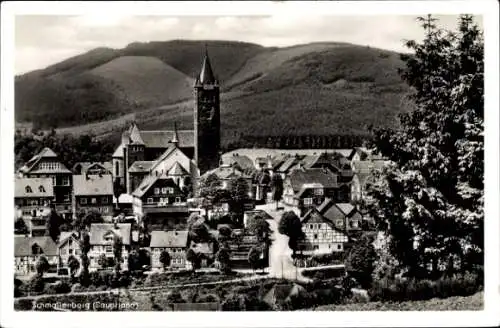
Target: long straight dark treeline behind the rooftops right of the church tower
(337, 141)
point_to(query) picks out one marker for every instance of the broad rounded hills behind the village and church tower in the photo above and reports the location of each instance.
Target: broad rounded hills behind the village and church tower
(319, 88)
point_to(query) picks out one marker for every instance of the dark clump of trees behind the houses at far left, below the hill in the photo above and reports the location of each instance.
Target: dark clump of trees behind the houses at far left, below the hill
(71, 149)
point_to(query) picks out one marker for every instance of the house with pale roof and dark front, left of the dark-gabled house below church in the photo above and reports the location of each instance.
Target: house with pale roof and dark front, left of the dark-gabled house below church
(93, 193)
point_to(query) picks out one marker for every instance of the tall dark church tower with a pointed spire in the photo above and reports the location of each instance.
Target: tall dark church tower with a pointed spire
(206, 118)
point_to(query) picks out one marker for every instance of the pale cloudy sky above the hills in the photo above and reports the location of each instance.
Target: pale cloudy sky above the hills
(42, 40)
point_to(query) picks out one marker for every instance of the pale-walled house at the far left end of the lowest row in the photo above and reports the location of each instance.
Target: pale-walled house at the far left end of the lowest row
(28, 250)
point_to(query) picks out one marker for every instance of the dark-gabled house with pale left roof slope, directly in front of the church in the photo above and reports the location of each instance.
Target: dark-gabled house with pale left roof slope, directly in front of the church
(161, 200)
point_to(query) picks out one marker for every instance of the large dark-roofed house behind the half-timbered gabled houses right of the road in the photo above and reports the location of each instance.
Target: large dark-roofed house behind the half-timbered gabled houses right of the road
(308, 188)
